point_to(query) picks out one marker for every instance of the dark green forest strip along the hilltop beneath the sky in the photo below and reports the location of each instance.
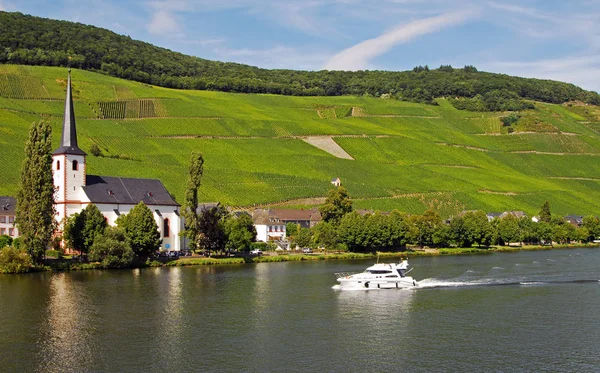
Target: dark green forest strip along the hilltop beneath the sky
(32, 40)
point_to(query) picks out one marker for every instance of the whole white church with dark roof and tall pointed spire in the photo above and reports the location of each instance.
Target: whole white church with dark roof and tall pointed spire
(114, 196)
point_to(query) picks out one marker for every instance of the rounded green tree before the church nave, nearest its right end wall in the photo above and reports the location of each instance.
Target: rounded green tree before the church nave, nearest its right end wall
(140, 231)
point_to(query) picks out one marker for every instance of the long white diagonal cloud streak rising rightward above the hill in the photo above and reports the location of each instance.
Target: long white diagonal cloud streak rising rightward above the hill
(358, 56)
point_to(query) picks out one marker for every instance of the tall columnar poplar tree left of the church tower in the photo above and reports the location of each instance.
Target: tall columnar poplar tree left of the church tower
(35, 197)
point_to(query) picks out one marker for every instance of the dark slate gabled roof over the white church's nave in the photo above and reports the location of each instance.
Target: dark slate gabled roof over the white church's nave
(123, 190)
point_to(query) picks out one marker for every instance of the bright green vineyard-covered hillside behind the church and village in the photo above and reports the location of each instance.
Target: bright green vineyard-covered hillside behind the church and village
(407, 156)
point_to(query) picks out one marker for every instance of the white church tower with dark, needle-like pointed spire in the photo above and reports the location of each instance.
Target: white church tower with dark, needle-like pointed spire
(68, 164)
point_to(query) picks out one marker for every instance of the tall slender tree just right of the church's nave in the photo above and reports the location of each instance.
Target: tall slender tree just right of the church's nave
(190, 208)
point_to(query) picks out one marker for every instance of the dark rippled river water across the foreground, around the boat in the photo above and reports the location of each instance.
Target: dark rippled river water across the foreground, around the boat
(527, 311)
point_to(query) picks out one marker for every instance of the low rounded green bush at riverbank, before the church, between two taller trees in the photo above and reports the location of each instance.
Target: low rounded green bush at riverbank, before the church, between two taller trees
(111, 249)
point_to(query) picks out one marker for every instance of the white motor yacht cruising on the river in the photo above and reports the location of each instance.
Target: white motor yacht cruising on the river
(378, 276)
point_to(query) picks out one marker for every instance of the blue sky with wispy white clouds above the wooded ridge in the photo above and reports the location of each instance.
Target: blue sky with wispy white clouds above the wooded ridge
(545, 39)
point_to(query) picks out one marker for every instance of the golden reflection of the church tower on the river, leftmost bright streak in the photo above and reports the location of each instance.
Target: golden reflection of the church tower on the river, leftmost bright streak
(66, 342)
